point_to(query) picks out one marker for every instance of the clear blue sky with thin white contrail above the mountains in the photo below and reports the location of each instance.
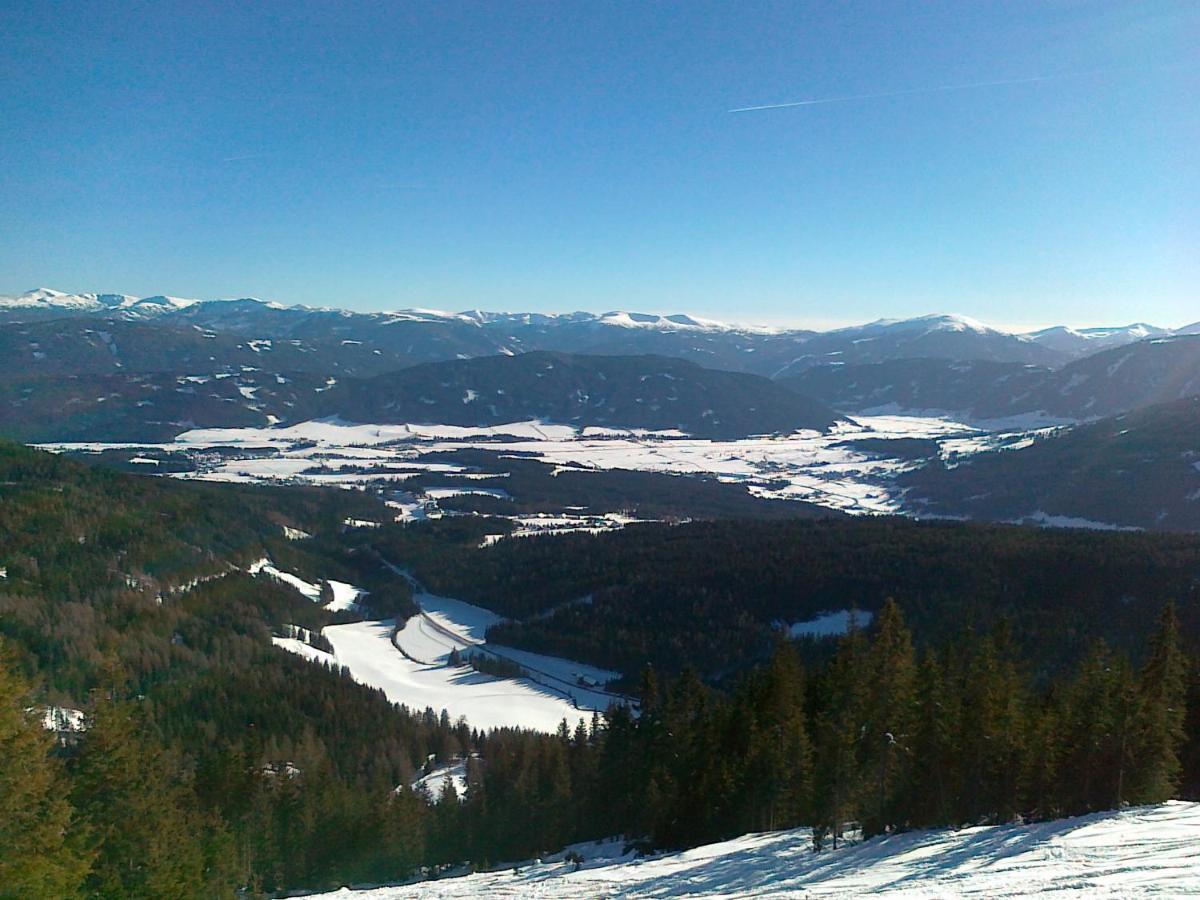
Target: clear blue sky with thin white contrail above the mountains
(581, 155)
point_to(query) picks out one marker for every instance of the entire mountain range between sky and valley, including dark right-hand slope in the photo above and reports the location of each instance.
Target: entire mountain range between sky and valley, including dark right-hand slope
(117, 368)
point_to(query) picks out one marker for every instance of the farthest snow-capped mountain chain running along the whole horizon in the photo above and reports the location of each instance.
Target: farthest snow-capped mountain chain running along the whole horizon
(416, 337)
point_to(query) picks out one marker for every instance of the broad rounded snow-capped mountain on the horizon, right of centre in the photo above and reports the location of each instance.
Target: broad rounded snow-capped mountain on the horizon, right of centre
(949, 338)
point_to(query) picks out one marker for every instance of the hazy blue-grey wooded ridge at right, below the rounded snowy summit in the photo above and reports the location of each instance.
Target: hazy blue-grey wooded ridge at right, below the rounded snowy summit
(1138, 375)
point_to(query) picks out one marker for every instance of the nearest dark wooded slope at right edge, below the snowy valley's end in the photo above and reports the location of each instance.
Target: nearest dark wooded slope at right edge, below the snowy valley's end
(1141, 470)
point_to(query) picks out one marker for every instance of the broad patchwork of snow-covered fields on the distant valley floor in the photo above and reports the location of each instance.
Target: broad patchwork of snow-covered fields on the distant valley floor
(807, 466)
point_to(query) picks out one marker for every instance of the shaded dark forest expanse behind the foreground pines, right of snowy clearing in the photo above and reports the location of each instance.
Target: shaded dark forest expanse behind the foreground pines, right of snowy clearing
(711, 595)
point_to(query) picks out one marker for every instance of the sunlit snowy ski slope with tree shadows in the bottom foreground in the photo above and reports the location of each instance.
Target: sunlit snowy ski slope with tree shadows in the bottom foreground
(1148, 851)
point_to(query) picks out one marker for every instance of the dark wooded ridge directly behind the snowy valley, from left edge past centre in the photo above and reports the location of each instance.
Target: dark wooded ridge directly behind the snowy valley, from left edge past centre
(652, 393)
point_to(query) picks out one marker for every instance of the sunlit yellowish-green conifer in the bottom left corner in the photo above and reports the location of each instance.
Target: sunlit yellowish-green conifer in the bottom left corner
(40, 853)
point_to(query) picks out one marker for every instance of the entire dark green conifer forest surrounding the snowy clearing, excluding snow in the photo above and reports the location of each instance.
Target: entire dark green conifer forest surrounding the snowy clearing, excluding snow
(1039, 675)
